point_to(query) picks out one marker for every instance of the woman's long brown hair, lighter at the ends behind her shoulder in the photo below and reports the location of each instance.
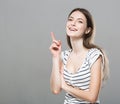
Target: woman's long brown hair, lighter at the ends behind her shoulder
(88, 39)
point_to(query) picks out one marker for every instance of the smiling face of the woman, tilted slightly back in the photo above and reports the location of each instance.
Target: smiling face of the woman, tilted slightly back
(76, 25)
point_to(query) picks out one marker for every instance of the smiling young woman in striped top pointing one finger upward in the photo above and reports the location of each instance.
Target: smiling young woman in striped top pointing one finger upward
(81, 69)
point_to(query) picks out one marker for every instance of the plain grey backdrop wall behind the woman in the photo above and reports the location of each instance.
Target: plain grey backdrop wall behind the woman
(25, 60)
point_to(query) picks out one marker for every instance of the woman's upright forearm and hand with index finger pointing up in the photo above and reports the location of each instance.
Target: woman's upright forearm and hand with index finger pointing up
(55, 80)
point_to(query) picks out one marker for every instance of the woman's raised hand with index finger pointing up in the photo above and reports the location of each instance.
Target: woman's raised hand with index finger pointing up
(55, 47)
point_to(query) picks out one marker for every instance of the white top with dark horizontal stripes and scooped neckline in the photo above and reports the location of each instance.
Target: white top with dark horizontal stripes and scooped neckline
(80, 79)
